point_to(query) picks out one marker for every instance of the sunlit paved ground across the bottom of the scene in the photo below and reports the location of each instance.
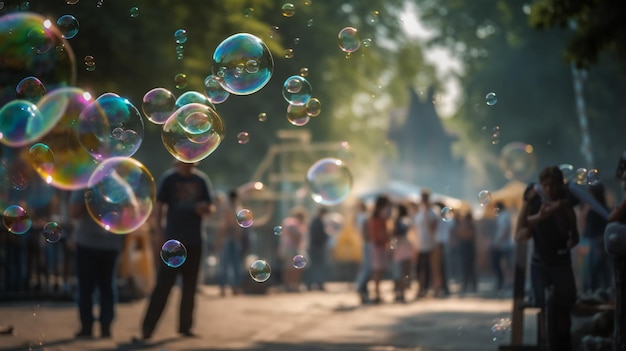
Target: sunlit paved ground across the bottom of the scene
(331, 320)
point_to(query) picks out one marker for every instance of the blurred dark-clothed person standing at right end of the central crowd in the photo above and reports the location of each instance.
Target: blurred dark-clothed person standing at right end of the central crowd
(466, 235)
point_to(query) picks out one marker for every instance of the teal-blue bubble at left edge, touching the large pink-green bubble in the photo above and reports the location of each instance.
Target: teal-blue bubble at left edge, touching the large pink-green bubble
(21, 123)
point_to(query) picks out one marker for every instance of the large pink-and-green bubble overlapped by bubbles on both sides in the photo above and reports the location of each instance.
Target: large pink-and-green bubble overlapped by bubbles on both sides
(73, 165)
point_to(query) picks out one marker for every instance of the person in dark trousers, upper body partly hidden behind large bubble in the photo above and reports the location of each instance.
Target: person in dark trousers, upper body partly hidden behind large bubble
(97, 252)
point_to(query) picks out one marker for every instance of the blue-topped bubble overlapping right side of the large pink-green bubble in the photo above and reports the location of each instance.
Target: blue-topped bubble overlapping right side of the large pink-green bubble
(110, 126)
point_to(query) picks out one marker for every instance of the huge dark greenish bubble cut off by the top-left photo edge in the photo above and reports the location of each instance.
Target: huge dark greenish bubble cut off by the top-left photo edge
(33, 46)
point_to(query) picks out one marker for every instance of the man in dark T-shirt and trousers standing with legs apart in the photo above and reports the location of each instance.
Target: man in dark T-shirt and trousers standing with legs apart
(184, 197)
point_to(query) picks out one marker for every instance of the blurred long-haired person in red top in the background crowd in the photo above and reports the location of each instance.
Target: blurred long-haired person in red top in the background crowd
(379, 236)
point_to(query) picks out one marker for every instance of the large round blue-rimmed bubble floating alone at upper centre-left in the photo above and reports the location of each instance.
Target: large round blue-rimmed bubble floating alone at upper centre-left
(237, 50)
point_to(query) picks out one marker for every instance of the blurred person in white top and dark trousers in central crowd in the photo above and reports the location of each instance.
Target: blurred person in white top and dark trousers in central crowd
(426, 227)
